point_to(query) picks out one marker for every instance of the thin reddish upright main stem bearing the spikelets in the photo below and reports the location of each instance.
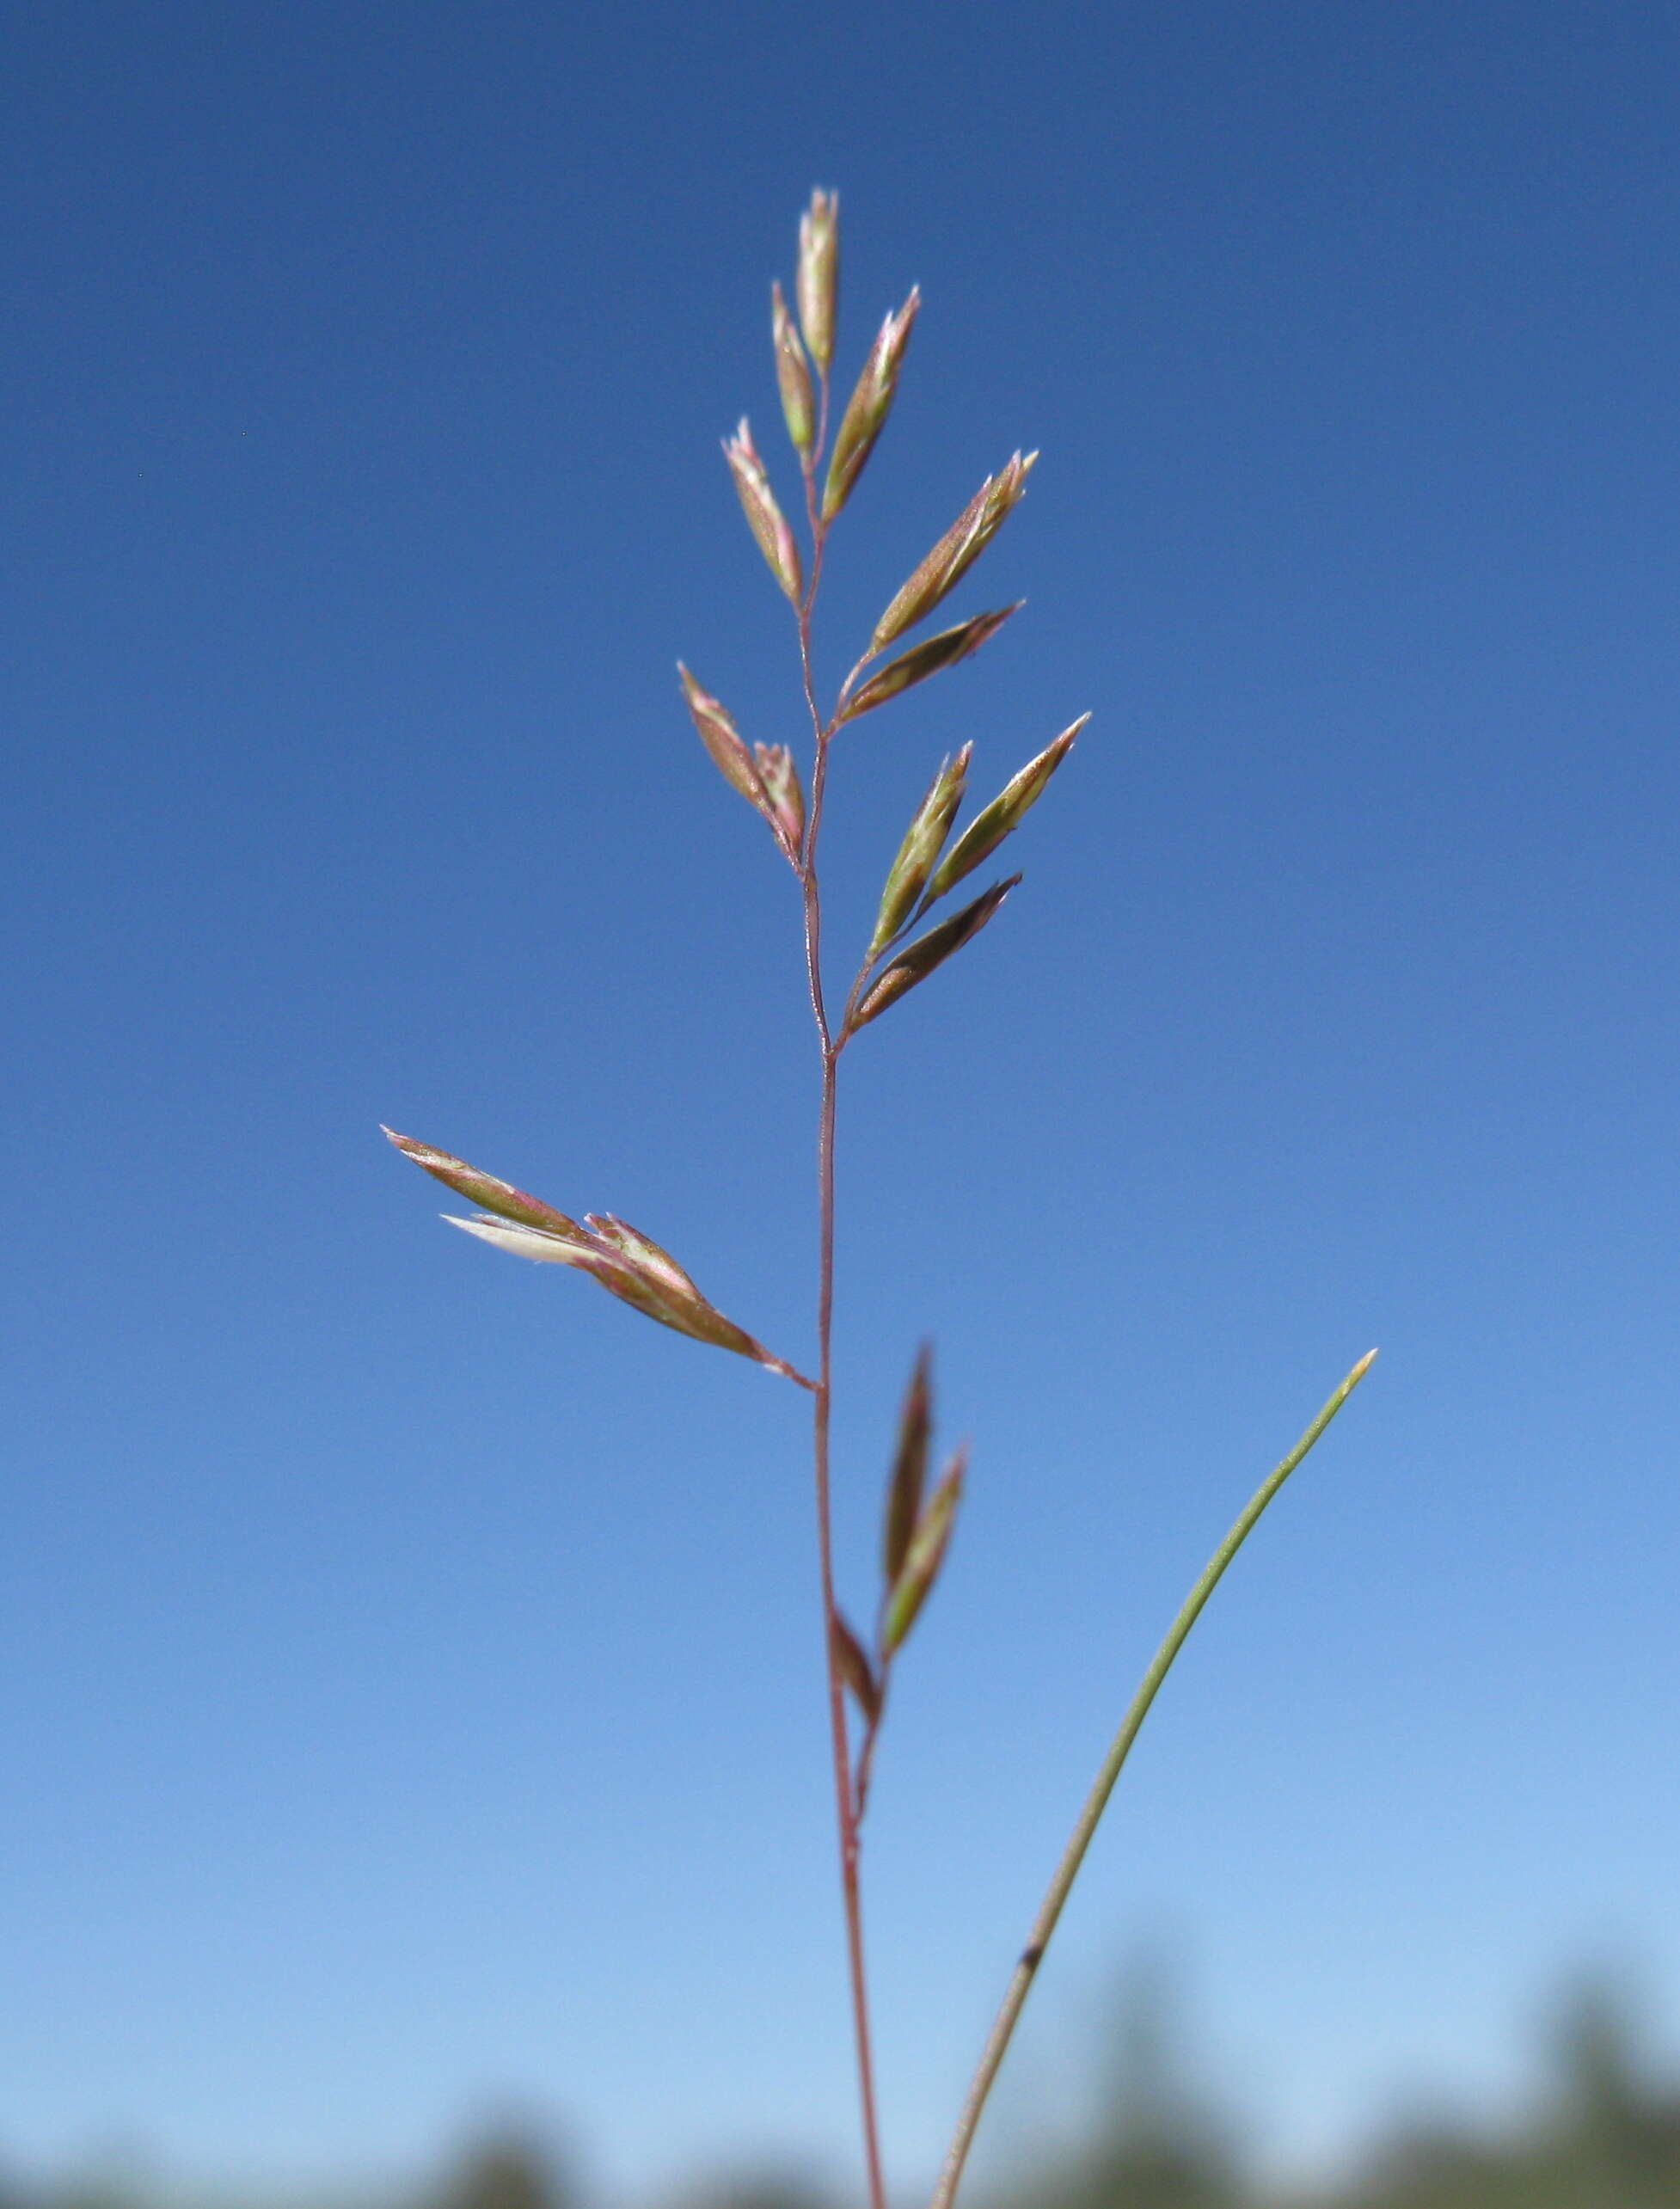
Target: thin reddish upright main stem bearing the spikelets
(844, 1799)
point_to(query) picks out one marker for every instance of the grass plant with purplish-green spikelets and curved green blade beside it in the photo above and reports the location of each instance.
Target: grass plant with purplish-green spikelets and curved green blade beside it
(902, 953)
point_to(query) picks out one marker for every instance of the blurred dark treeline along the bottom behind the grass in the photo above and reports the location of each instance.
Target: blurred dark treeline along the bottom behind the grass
(1599, 2133)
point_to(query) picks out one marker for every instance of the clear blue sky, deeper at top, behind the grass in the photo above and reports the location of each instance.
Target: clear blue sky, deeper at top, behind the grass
(412, 1684)
